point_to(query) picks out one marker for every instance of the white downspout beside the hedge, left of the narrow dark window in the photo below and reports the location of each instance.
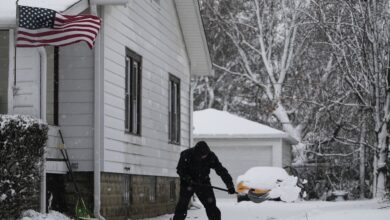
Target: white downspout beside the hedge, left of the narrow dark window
(43, 80)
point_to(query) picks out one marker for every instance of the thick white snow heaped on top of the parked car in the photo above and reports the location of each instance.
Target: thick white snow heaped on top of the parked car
(276, 179)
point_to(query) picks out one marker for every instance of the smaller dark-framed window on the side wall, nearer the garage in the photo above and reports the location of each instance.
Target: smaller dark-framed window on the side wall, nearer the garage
(174, 110)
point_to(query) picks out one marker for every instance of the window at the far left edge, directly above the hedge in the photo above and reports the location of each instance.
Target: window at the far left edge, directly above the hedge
(4, 63)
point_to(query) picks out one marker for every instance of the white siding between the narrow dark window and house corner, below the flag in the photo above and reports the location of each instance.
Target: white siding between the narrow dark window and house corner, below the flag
(76, 88)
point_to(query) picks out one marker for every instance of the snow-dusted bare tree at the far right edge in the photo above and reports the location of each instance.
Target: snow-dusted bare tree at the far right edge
(359, 35)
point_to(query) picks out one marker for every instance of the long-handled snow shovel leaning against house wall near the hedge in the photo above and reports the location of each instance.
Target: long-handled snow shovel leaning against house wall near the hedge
(81, 210)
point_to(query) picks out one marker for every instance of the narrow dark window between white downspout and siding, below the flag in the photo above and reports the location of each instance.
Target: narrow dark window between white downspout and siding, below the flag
(52, 86)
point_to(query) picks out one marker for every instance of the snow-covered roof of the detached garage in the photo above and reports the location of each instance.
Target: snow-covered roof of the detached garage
(215, 123)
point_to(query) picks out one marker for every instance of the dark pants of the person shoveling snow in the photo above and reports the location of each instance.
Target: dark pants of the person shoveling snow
(205, 195)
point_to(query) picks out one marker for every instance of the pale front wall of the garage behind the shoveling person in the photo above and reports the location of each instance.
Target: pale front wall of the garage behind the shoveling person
(238, 155)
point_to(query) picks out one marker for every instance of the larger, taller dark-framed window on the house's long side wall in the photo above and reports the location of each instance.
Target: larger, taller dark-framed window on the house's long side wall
(133, 93)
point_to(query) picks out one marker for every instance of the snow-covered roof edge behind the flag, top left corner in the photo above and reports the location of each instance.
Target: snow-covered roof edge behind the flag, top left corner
(8, 8)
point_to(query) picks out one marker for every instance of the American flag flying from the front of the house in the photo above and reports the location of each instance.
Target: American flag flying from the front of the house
(43, 27)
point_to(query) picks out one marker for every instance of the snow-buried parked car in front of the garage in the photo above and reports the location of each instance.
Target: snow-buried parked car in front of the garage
(271, 182)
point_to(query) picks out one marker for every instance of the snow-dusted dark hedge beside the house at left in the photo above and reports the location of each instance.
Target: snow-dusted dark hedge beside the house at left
(22, 141)
